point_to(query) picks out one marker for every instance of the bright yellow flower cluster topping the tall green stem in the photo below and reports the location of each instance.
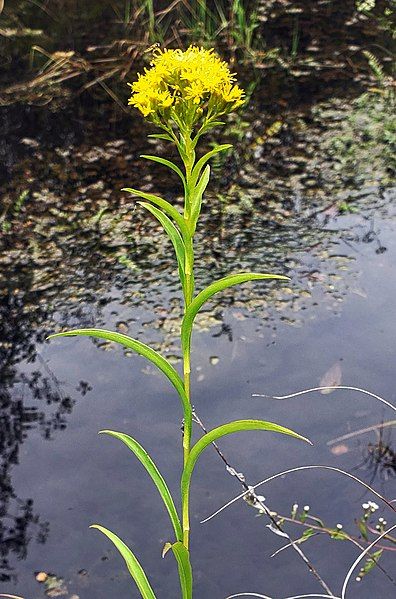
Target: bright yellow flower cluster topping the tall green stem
(183, 84)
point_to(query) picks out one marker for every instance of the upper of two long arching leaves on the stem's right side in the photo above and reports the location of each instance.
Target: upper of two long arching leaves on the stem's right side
(211, 290)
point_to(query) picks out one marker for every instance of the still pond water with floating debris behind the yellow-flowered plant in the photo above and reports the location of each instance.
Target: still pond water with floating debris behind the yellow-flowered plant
(78, 254)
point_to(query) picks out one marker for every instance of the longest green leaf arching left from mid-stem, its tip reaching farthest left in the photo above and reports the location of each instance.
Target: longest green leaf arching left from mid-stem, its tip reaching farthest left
(140, 348)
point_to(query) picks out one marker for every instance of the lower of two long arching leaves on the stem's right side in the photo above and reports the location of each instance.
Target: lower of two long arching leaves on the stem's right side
(226, 429)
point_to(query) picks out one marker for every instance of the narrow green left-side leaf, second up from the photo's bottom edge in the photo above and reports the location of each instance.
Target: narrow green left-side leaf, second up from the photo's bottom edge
(155, 475)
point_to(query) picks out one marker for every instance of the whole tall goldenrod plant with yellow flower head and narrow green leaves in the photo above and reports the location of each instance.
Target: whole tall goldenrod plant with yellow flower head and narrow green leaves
(184, 94)
